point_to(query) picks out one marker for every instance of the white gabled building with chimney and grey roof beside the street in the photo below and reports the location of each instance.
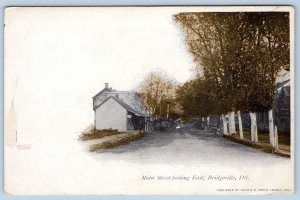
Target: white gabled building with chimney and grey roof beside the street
(121, 110)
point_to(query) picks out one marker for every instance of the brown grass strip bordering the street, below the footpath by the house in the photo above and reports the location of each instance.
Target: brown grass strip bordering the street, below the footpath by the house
(121, 140)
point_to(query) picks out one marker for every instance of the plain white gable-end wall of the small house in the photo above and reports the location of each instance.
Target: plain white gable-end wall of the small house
(111, 115)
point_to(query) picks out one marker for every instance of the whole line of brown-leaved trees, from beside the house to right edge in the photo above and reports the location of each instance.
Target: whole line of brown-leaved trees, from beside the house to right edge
(238, 56)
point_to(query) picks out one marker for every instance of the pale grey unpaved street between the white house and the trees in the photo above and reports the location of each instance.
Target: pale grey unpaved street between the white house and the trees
(183, 146)
